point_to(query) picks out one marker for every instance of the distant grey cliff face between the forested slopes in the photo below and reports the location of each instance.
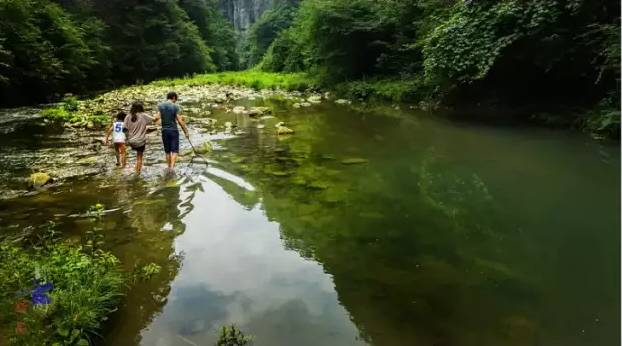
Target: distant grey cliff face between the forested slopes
(243, 13)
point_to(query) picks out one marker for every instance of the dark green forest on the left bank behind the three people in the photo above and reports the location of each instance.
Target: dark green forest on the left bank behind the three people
(48, 47)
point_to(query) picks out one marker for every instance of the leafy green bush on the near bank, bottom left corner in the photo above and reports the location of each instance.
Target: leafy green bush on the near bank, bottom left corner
(86, 289)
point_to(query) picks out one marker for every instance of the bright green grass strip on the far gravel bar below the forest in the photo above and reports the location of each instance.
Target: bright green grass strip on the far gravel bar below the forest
(251, 78)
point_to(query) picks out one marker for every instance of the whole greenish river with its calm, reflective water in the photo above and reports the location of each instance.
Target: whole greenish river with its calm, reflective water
(383, 227)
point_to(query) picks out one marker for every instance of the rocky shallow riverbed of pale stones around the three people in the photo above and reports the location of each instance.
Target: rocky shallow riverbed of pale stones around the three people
(49, 152)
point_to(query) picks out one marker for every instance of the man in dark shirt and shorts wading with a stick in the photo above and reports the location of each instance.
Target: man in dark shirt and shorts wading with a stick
(170, 115)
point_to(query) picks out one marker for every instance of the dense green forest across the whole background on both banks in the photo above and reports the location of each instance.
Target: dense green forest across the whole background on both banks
(547, 55)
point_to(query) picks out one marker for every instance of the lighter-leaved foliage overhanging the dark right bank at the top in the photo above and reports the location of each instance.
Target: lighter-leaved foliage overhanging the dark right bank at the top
(467, 45)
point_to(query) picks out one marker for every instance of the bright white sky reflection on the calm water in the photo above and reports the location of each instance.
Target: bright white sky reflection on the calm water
(235, 270)
